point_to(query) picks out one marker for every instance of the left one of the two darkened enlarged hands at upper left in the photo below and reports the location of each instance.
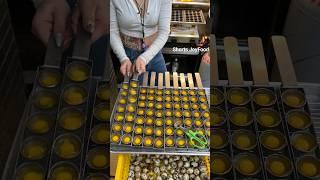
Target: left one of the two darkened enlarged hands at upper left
(52, 17)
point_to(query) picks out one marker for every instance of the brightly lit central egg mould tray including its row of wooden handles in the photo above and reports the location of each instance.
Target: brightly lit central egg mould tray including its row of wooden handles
(155, 116)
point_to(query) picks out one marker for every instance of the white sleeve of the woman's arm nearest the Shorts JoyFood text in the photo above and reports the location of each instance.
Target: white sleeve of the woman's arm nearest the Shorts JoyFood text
(163, 32)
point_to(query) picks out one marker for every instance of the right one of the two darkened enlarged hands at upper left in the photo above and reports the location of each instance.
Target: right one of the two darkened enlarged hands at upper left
(92, 15)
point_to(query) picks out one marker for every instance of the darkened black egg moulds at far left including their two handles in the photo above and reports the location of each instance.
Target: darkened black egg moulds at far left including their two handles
(69, 109)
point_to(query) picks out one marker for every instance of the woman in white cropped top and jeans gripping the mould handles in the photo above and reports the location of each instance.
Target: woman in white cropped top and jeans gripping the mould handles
(138, 31)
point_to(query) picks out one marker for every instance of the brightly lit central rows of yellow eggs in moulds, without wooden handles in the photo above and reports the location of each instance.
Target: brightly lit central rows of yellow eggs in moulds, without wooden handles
(150, 117)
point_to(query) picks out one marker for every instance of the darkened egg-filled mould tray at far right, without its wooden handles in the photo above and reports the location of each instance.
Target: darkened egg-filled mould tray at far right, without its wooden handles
(262, 133)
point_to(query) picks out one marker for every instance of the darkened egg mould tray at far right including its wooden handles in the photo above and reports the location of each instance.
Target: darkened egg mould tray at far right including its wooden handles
(261, 129)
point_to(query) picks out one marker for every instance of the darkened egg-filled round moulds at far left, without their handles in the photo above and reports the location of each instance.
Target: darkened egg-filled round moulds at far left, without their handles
(58, 119)
